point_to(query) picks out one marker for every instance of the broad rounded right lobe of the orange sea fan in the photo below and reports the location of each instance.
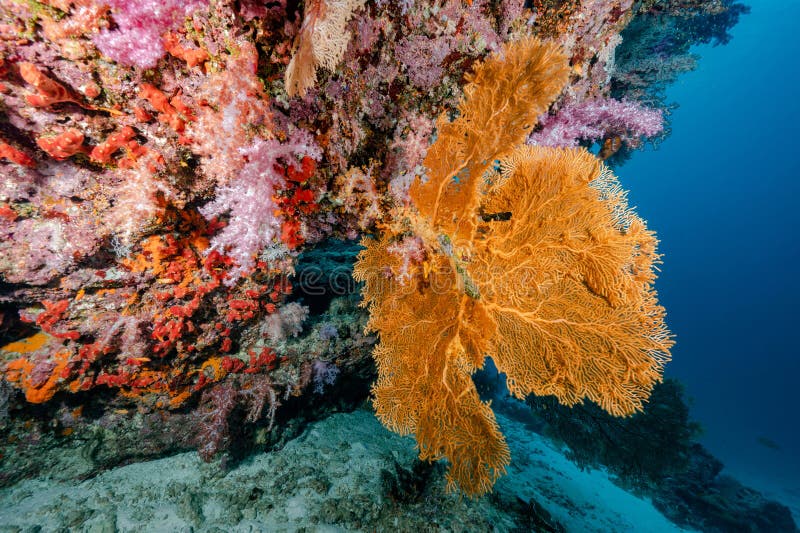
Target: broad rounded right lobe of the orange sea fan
(569, 283)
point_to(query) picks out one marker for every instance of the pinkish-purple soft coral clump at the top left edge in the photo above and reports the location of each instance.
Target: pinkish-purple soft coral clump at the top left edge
(137, 41)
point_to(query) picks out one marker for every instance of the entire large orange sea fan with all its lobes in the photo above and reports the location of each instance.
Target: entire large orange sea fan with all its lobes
(532, 257)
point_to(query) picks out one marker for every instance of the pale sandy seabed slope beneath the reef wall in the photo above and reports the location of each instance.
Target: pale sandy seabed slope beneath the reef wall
(334, 477)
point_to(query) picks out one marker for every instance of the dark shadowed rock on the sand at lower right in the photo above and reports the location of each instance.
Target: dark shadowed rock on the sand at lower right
(655, 453)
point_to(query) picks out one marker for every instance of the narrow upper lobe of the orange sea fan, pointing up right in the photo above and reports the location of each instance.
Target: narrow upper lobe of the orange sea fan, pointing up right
(503, 100)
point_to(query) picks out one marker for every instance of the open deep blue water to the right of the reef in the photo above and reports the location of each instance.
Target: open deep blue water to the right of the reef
(723, 194)
